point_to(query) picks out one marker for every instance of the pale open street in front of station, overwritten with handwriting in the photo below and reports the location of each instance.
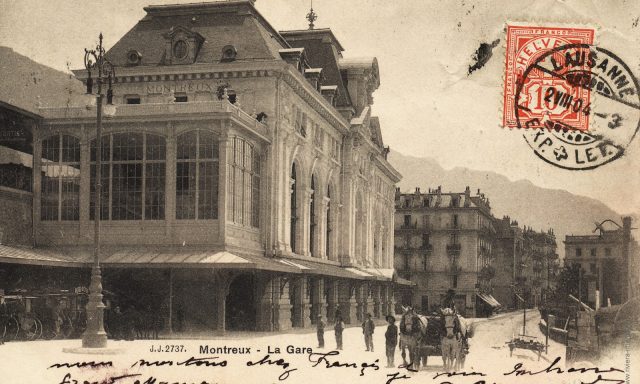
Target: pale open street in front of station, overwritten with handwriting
(27, 362)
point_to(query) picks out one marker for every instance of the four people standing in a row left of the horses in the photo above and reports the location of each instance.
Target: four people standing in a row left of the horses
(368, 328)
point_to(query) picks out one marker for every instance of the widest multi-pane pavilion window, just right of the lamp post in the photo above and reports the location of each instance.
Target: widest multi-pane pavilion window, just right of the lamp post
(133, 176)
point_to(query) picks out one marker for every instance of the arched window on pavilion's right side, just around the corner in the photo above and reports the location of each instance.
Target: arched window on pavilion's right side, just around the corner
(244, 184)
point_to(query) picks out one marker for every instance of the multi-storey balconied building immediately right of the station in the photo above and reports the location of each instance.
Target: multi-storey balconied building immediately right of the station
(444, 241)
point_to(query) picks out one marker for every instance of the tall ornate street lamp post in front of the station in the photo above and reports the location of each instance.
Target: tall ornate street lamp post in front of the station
(95, 335)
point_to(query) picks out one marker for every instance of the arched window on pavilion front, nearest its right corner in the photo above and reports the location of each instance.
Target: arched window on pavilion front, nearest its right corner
(197, 176)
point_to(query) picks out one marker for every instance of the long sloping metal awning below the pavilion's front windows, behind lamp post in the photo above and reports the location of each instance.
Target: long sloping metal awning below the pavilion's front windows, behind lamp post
(142, 258)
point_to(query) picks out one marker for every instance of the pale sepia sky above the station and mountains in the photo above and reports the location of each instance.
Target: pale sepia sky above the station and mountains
(427, 103)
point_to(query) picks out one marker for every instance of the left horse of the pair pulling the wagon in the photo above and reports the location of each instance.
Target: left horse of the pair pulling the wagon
(412, 329)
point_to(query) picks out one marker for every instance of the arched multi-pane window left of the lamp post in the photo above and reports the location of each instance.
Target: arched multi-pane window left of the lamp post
(60, 198)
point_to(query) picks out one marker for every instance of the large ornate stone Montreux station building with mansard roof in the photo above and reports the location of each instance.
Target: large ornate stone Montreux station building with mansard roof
(245, 184)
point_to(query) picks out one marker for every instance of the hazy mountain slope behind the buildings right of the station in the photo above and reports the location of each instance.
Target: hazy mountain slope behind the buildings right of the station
(533, 206)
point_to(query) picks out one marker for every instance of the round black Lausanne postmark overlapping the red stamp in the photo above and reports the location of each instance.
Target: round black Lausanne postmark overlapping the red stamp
(612, 107)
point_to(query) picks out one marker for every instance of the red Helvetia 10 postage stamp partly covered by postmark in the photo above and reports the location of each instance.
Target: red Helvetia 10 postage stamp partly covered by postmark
(540, 95)
